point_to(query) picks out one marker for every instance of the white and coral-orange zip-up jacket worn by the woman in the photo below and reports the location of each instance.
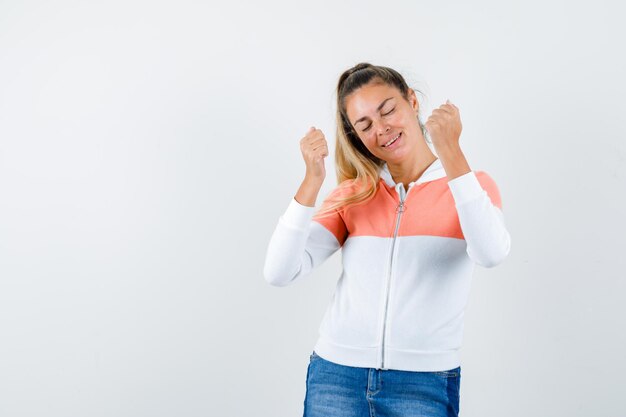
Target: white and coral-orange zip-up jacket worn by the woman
(408, 259)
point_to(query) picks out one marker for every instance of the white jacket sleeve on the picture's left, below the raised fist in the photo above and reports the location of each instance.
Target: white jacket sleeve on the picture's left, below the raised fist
(297, 246)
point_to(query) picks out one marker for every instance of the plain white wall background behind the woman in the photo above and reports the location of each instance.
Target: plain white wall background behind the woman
(147, 149)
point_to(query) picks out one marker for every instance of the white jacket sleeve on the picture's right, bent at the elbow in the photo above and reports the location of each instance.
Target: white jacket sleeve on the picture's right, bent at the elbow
(482, 222)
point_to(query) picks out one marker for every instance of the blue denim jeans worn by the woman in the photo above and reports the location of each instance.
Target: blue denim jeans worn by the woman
(346, 391)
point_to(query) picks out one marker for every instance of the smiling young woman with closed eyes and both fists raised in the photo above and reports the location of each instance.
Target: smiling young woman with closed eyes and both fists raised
(411, 224)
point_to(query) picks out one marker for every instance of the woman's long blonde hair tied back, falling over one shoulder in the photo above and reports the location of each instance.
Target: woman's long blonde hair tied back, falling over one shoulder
(358, 170)
